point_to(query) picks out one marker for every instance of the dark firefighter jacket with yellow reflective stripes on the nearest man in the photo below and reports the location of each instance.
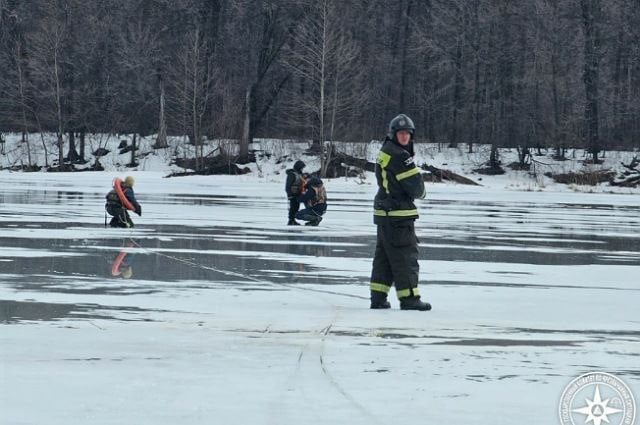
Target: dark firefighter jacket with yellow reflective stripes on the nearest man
(399, 183)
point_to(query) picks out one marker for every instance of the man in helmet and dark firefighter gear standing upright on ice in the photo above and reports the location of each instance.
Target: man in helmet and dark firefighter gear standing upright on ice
(396, 256)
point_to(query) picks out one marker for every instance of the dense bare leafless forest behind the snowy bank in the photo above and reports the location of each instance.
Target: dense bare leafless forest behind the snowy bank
(534, 73)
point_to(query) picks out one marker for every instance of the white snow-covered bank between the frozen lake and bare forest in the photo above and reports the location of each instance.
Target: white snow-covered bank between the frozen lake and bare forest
(274, 156)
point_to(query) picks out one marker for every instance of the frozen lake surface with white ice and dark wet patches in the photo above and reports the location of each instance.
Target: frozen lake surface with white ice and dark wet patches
(231, 317)
